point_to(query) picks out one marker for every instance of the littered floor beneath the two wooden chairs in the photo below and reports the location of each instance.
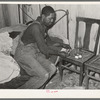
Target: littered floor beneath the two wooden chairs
(70, 81)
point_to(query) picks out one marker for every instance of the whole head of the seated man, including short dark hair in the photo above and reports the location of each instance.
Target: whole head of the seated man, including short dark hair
(48, 16)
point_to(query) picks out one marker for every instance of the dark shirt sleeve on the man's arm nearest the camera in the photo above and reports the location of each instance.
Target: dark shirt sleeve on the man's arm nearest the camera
(38, 36)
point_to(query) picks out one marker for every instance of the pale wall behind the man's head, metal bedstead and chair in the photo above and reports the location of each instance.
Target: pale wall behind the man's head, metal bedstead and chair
(60, 29)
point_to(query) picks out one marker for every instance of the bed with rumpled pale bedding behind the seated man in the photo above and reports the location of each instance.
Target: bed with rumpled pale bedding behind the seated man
(11, 75)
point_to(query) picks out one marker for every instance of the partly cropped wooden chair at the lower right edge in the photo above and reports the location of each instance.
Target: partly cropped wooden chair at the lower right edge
(94, 66)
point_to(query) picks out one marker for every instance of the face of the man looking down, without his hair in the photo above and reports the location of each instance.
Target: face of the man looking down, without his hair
(49, 20)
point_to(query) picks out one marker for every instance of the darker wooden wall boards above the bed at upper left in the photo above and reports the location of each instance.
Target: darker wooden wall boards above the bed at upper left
(8, 15)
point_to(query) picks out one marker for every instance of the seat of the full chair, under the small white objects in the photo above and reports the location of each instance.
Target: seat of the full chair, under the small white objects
(86, 55)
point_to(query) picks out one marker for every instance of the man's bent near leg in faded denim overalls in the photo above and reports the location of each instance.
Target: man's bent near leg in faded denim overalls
(38, 75)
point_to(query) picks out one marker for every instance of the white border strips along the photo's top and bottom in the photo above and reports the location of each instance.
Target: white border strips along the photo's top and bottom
(42, 94)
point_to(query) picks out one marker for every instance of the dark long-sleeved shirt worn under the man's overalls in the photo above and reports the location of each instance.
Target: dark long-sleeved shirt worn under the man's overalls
(35, 33)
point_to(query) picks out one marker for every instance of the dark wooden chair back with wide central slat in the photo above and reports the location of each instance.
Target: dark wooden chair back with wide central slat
(87, 33)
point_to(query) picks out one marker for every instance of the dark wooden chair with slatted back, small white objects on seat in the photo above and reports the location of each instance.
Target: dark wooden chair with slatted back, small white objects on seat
(84, 49)
